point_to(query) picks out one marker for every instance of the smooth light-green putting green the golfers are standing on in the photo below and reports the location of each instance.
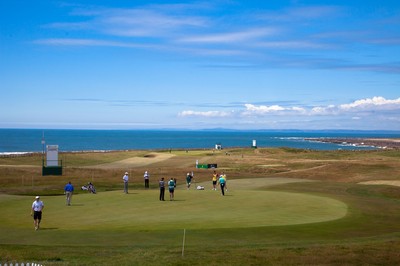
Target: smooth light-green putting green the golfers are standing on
(246, 204)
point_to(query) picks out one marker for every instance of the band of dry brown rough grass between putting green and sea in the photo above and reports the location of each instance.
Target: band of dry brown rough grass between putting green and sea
(23, 174)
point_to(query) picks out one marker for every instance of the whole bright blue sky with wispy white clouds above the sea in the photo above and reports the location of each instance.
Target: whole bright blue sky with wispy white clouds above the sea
(200, 64)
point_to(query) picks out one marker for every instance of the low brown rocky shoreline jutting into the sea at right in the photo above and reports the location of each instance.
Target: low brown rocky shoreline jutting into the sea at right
(381, 143)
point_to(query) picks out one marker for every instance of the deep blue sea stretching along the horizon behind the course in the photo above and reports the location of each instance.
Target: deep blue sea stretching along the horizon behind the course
(20, 141)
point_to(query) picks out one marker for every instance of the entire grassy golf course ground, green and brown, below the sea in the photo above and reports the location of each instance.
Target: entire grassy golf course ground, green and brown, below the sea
(282, 206)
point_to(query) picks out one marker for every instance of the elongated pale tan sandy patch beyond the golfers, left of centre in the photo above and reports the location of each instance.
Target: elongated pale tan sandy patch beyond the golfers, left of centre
(149, 158)
